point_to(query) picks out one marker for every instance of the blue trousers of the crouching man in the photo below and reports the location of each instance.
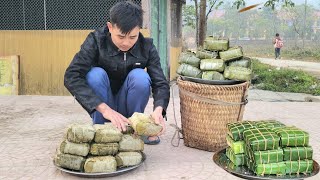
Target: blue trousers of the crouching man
(132, 97)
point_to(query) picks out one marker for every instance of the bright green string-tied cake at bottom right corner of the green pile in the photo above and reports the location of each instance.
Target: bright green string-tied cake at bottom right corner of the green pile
(298, 167)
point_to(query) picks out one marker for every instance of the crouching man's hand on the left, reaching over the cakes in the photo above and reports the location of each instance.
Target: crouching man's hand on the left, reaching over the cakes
(116, 118)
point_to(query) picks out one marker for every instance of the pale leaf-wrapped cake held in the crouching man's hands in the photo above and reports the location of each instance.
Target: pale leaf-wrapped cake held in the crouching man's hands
(143, 124)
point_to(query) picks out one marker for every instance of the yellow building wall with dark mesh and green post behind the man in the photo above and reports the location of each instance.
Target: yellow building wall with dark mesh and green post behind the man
(47, 34)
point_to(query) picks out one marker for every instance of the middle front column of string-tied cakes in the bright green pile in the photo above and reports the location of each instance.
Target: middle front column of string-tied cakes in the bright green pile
(264, 157)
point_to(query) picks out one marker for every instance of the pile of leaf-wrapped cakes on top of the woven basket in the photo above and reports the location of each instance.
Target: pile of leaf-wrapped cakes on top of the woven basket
(216, 61)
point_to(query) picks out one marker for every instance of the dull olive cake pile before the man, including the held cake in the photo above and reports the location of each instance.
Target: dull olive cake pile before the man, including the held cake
(104, 148)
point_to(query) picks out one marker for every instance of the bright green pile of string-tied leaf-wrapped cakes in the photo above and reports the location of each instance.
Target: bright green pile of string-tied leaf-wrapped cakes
(269, 147)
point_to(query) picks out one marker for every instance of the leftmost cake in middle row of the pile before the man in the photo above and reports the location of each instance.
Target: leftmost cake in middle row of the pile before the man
(80, 149)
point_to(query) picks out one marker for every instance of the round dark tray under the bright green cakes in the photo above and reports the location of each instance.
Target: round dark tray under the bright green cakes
(221, 160)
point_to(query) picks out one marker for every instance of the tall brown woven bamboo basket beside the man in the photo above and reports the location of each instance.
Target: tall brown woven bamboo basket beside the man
(206, 110)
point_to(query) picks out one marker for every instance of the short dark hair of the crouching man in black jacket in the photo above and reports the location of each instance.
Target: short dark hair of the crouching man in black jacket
(126, 15)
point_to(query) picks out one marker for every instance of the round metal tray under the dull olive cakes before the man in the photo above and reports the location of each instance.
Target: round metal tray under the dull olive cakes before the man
(101, 175)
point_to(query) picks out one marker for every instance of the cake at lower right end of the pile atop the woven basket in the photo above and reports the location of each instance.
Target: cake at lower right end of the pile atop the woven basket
(237, 73)
